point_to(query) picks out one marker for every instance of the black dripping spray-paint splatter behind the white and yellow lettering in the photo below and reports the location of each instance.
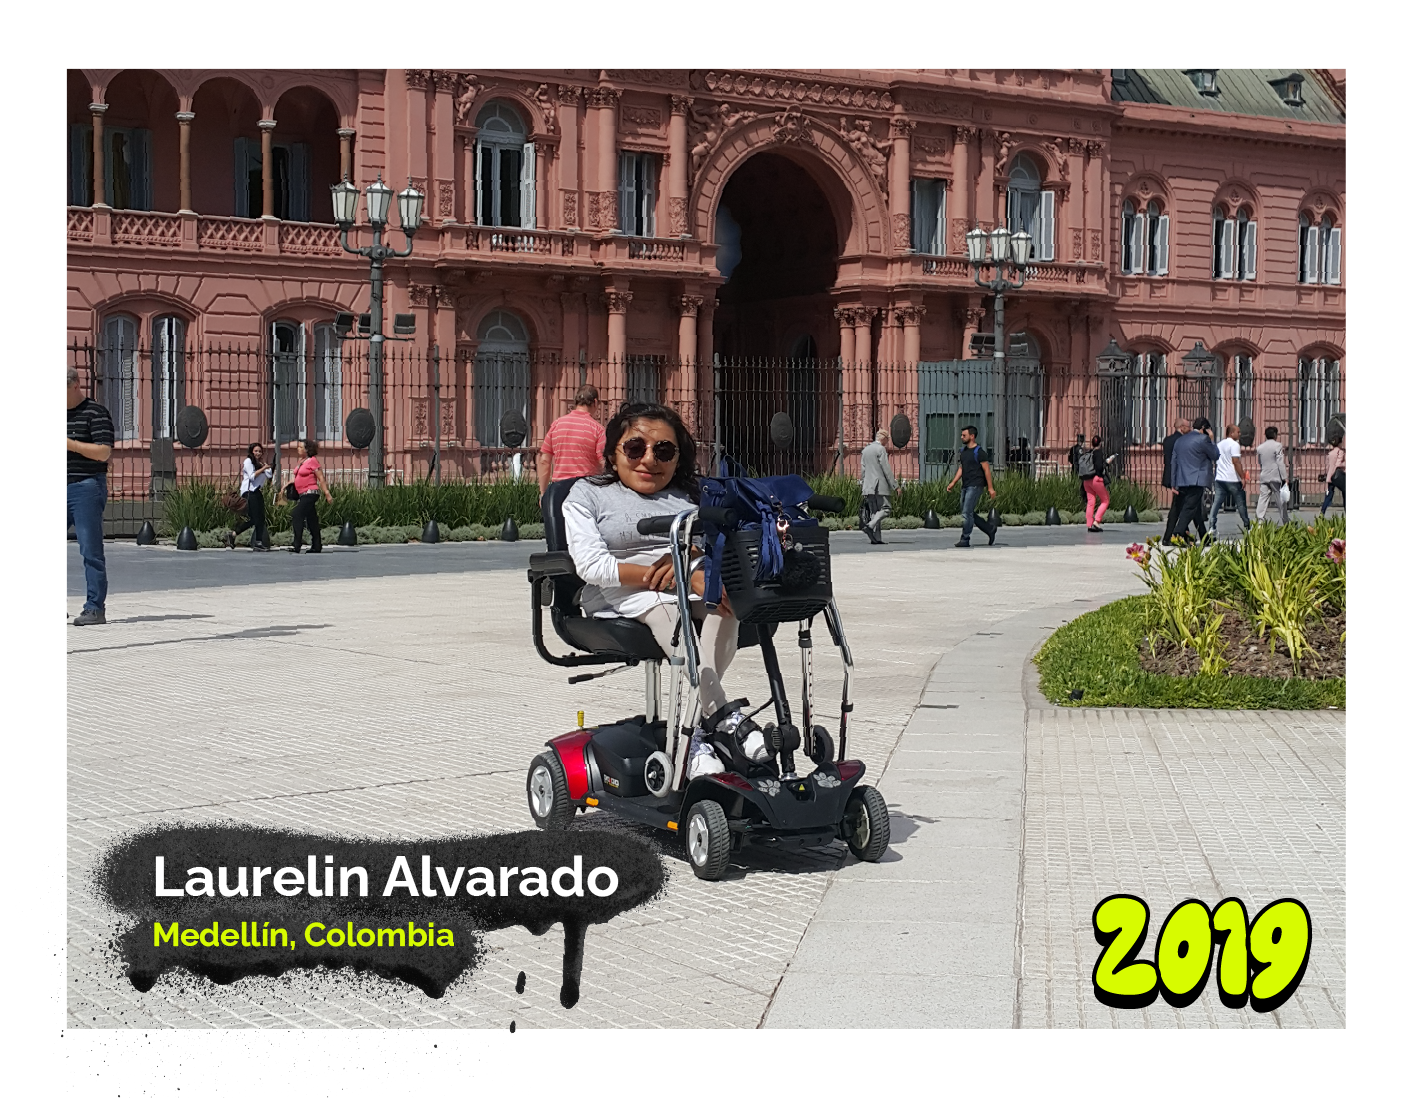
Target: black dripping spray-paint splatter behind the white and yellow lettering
(126, 880)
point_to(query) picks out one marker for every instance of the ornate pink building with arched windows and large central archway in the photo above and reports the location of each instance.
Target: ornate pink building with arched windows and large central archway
(628, 227)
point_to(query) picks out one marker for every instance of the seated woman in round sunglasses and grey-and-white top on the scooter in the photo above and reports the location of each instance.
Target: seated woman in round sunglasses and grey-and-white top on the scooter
(649, 459)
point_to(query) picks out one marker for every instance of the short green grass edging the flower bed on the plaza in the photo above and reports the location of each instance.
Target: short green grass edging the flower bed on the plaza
(1099, 654)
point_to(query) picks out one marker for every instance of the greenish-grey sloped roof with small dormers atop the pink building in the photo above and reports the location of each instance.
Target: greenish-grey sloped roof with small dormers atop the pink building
(1240, 93)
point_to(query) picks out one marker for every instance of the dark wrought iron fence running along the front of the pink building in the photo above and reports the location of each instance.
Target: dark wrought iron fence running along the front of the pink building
(443, 411)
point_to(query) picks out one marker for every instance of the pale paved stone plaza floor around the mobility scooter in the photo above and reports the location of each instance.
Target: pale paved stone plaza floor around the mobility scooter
(394, 692)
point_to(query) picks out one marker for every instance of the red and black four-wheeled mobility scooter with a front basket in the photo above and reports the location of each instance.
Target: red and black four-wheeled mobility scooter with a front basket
(638, 767)
